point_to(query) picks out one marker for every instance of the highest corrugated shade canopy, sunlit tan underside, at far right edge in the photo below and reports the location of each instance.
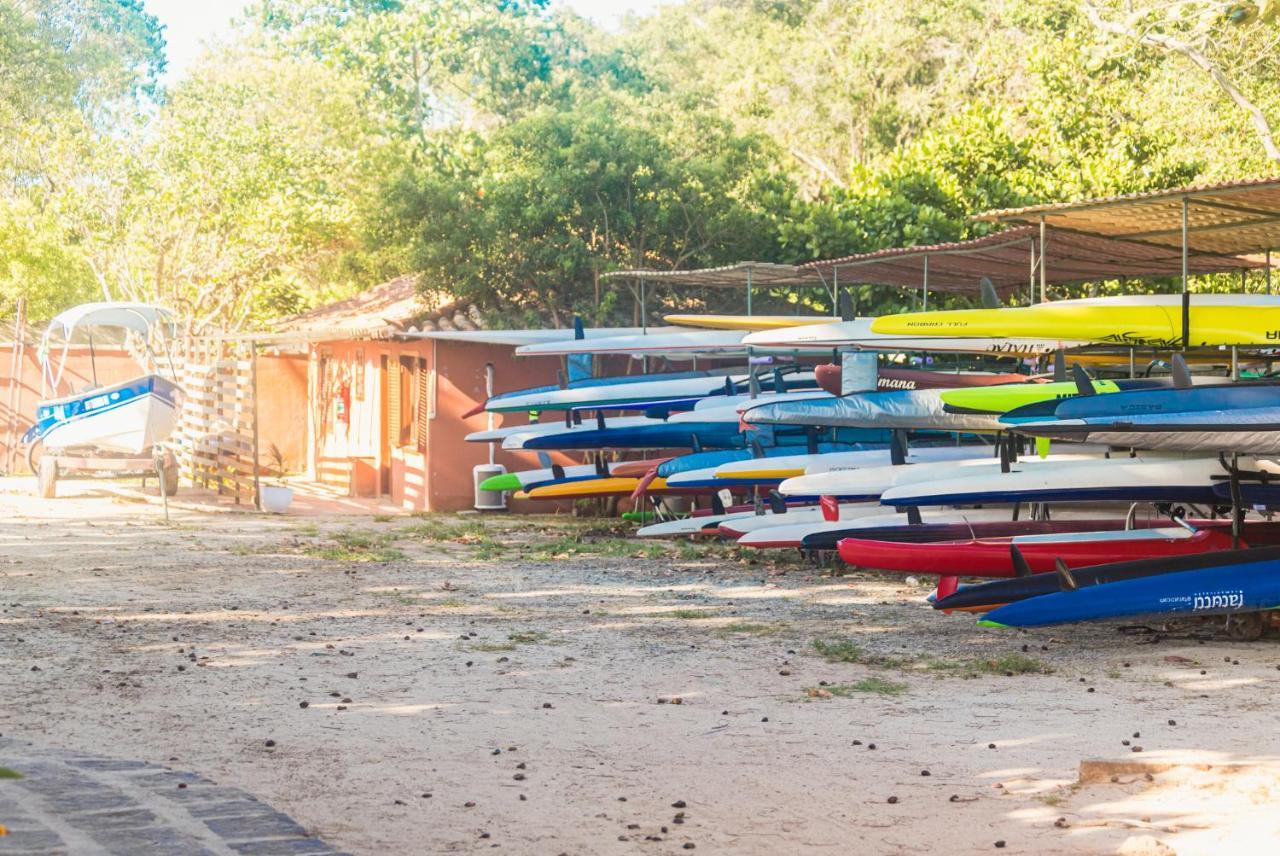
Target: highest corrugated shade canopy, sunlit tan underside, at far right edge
(1226, 219)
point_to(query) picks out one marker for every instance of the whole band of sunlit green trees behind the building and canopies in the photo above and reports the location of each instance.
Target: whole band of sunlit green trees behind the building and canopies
(510, 153)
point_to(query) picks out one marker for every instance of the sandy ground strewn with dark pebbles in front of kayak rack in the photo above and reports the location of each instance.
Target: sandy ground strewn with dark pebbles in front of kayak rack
(516, 689)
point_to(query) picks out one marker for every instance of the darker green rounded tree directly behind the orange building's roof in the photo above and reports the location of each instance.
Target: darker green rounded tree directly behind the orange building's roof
(528, 223)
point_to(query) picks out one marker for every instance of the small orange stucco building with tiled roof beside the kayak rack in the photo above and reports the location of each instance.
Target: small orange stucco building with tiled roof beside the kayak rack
(387, 409)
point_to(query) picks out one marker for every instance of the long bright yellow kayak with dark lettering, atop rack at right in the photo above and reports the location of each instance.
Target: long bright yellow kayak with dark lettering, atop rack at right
(1154, 321)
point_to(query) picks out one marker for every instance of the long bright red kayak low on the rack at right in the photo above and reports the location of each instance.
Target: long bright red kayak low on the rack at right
(994, 557)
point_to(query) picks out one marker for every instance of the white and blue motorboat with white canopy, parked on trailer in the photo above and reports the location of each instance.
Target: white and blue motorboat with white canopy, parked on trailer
(130, 418)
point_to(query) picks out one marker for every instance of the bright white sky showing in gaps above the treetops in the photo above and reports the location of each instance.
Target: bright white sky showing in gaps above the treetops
(190, 22)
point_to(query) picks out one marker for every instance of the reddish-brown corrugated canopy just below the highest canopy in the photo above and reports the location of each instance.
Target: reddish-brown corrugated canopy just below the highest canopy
(1009, 260)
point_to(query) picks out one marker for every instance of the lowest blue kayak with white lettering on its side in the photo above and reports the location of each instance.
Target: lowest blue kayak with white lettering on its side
(1237, 582)
